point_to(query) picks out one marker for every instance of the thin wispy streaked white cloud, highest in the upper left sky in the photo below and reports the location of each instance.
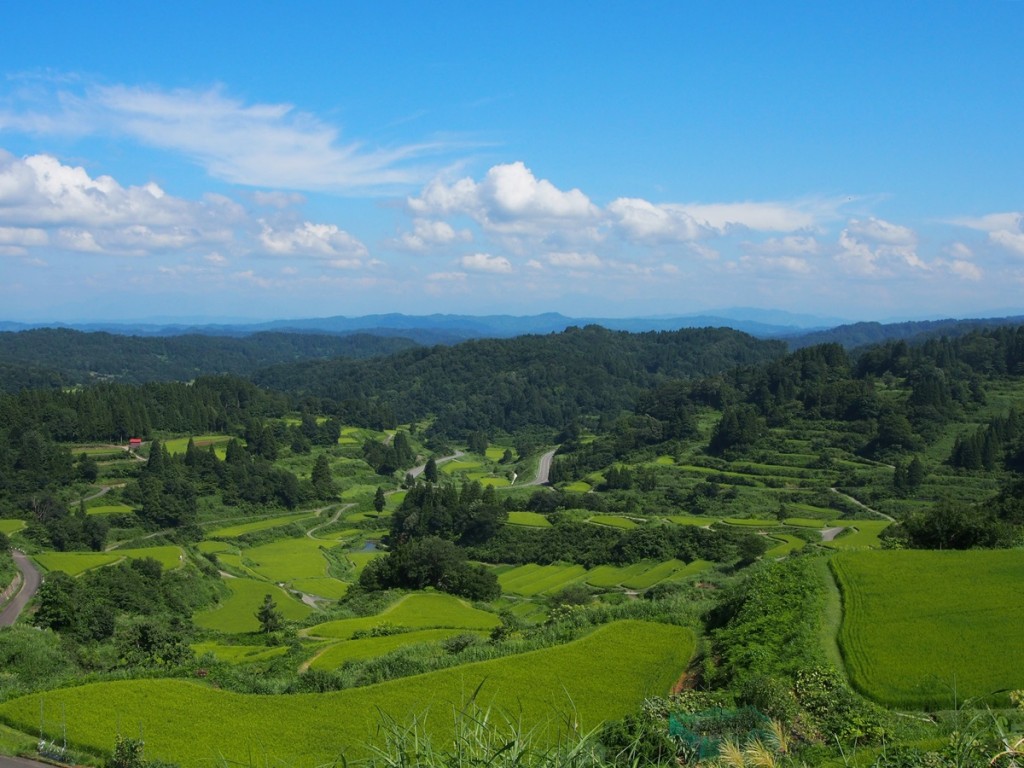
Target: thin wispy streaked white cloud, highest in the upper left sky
(255, 145)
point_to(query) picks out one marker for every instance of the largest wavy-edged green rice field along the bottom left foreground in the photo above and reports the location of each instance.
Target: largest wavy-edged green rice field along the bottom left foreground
(542, 689)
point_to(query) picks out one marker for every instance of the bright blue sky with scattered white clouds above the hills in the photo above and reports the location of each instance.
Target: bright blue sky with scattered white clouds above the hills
(261, 161)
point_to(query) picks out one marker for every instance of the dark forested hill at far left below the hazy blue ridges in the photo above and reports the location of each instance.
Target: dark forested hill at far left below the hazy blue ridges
(63, 358)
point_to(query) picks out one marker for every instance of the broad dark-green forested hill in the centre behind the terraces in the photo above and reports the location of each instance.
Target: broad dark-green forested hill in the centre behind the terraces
(508, 385)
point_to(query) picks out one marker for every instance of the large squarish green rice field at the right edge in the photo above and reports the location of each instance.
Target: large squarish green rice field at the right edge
(930, 629)
